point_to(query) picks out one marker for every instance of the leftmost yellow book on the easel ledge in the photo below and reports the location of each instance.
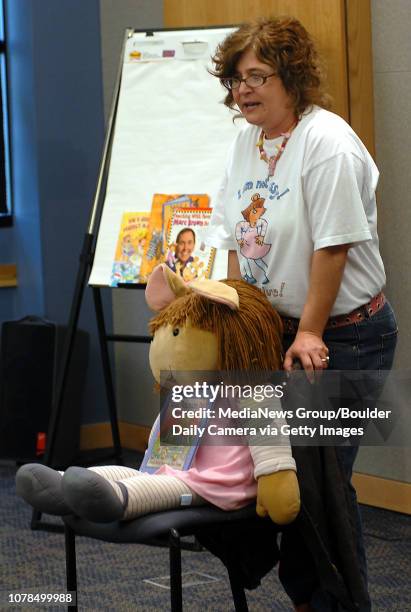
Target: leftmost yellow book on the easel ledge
(130, 248)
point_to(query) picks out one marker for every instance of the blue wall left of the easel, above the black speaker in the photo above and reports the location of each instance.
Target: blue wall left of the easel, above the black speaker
(57, 137)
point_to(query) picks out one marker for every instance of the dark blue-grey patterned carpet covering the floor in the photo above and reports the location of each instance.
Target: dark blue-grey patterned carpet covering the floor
(111, 577)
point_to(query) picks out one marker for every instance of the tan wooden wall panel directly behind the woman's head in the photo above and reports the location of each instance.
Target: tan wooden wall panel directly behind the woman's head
(325, 20)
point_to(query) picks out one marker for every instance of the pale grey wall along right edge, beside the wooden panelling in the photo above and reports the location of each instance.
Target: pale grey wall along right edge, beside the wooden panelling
(391, 26)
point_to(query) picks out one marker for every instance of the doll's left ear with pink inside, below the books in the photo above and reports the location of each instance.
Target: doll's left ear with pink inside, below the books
(164, 286)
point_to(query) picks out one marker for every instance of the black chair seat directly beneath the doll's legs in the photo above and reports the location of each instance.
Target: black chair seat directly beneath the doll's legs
(157, 525)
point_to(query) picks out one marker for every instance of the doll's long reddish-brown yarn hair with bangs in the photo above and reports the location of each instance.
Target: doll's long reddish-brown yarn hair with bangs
(249, 338)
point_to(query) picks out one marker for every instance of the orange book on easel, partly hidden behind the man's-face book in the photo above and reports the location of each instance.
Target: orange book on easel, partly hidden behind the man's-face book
(160, 221)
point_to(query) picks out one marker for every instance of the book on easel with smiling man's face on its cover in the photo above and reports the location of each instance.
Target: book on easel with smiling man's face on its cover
(187, 254)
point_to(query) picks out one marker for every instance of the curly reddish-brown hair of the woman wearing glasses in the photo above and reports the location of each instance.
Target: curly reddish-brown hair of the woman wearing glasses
(284, 44)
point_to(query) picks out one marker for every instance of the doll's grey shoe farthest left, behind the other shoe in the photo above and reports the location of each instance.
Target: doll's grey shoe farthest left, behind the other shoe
(40, 486)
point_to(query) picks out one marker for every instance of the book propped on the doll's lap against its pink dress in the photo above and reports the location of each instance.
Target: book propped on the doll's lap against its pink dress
(167, 446)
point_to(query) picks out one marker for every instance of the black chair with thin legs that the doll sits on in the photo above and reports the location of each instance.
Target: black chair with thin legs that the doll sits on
(167, 529)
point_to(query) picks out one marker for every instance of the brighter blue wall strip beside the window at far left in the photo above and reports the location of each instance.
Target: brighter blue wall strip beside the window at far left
(21, 243)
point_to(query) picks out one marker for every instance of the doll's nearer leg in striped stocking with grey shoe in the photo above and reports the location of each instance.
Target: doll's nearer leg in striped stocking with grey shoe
(95, 498)
